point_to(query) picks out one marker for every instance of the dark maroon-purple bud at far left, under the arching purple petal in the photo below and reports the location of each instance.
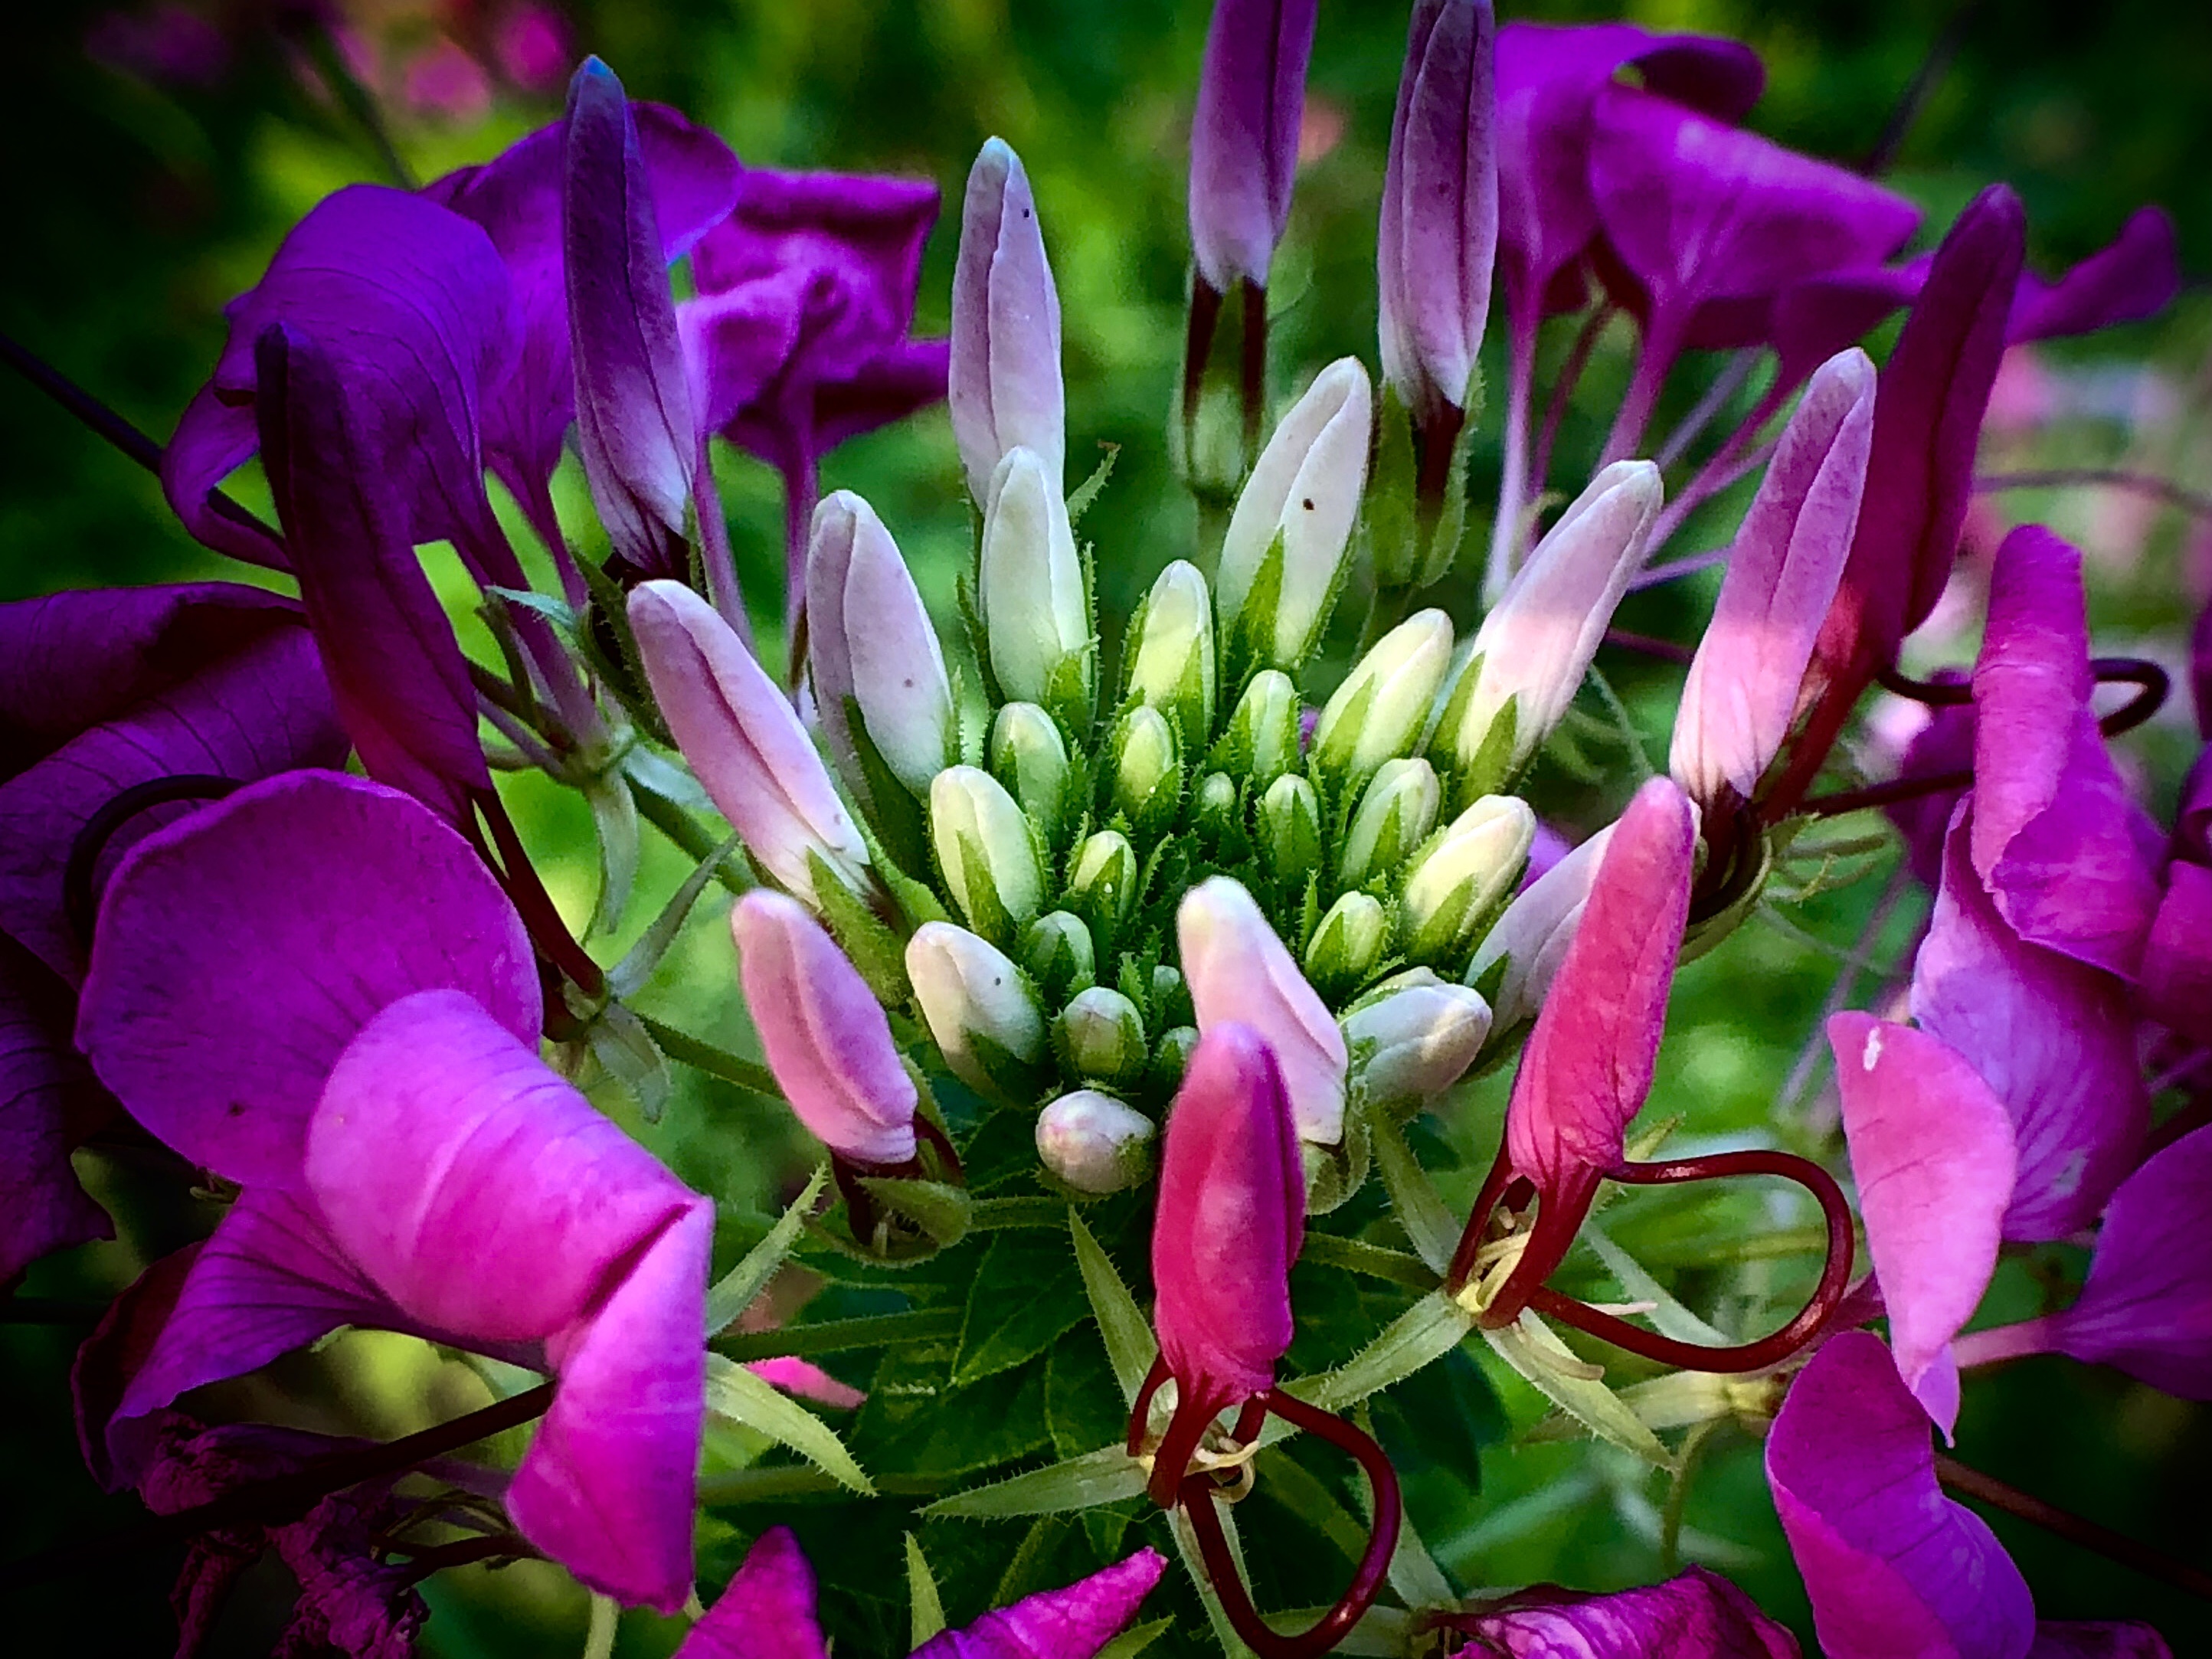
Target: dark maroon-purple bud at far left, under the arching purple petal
(388, 647)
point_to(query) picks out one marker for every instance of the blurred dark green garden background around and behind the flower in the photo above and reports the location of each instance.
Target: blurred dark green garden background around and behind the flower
(156, 156)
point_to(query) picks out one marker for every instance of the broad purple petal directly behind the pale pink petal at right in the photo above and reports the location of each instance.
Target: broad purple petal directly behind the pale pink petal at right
(2054, 1039)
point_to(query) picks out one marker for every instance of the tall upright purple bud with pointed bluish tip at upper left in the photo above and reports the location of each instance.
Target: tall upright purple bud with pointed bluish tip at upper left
(632, 397)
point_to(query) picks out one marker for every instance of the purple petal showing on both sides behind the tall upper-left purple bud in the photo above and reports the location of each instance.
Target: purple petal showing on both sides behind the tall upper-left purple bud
(517, 200)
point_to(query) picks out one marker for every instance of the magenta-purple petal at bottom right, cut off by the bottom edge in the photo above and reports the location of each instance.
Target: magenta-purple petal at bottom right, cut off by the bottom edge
(1892, 1565)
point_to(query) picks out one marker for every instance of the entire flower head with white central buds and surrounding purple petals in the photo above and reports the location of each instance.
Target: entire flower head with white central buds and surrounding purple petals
(1092, 950)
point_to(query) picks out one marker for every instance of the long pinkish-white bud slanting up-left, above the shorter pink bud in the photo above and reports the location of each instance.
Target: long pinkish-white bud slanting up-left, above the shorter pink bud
(742, 740)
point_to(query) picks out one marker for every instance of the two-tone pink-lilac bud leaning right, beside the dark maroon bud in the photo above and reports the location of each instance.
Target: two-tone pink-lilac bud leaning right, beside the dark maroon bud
(1782, 574)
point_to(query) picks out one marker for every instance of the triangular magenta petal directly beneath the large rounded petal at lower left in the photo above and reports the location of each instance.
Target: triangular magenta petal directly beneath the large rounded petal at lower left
(269, 1282)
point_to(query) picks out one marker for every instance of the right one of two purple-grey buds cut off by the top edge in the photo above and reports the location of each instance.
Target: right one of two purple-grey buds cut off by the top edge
(1439, 229)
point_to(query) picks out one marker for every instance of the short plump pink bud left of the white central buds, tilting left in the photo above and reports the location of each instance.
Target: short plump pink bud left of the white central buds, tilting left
(826, 1036)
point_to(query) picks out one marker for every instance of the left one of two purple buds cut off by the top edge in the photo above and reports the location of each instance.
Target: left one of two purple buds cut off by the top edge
(1244, 136)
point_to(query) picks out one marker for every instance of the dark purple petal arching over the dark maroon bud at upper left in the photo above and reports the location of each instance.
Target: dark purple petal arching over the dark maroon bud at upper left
(419, 320)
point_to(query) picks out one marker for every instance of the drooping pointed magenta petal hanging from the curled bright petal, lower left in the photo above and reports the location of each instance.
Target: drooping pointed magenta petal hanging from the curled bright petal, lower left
(609, 1485)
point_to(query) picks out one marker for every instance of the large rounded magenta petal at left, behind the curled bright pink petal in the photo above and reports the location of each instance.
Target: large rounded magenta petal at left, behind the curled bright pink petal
(247, 946)
